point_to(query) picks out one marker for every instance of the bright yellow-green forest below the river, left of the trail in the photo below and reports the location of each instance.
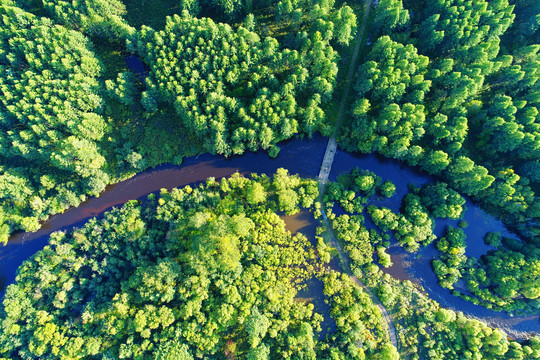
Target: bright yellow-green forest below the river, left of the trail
(201, 272)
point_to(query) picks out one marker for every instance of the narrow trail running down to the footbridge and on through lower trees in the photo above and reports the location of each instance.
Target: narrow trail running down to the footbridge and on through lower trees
(326, 166)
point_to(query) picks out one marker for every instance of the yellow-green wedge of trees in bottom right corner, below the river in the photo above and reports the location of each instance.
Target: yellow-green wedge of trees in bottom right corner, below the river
(428, 331)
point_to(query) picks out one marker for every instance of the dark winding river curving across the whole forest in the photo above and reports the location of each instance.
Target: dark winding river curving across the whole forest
(303, 157)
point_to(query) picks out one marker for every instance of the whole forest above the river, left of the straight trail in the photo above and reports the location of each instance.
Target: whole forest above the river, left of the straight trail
(74, 119)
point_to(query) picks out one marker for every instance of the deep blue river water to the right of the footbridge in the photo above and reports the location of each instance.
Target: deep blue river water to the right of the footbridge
(417, 267)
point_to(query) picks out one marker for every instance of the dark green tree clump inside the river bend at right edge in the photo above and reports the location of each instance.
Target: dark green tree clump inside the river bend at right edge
(505, 278)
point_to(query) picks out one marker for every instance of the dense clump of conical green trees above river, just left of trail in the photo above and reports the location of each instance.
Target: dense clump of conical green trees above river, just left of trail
(238, 92)
